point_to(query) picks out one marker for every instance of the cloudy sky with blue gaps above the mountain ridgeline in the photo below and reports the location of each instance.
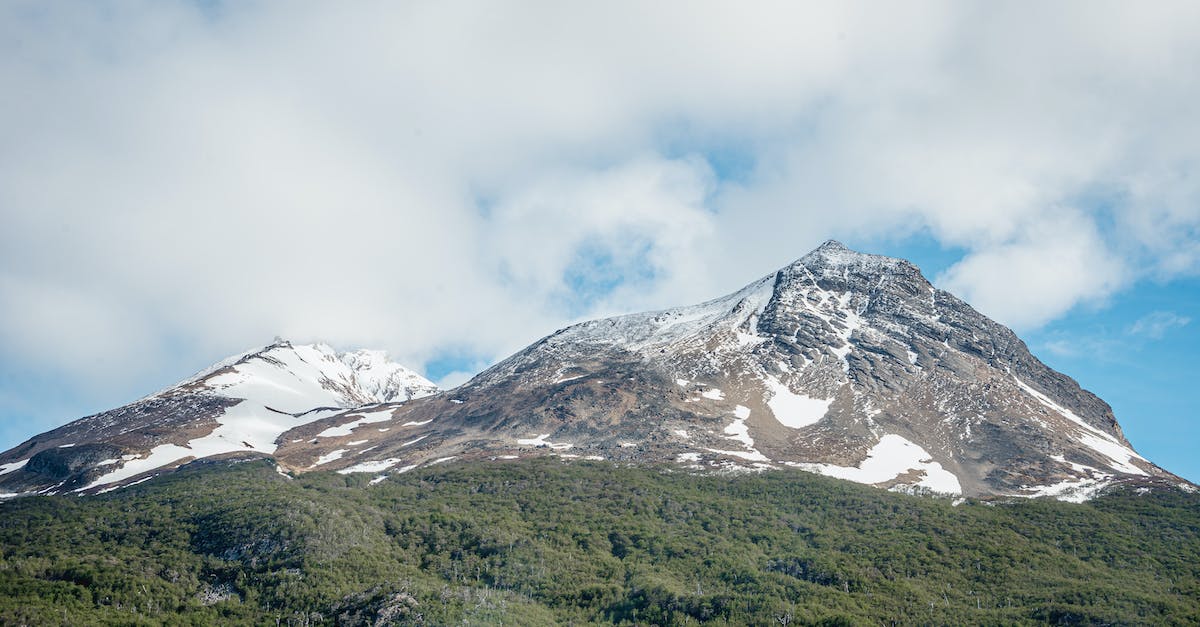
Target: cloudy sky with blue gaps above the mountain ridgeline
(184, 181)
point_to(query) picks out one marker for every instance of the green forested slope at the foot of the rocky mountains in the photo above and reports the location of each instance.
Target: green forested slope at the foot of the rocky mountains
(541, 541)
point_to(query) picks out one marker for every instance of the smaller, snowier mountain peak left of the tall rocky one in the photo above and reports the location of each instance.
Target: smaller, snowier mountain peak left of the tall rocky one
(237, 407)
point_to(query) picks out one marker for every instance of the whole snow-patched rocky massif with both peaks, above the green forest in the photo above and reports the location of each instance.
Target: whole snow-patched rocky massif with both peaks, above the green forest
(844, 365)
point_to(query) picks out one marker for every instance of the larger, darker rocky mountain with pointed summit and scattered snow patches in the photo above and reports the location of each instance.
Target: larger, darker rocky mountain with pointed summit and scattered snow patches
(843, 363)
